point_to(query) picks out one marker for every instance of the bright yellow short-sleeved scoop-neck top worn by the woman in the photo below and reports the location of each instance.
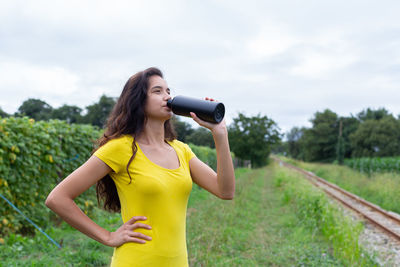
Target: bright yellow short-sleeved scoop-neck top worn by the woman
(159, 194)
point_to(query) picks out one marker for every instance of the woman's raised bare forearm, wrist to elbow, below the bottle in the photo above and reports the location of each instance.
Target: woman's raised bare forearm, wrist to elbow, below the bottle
(225, 171)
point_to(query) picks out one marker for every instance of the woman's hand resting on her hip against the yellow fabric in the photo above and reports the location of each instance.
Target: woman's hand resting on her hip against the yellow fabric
(125, 233)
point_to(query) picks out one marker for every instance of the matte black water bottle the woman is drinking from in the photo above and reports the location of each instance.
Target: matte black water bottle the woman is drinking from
(206, 110)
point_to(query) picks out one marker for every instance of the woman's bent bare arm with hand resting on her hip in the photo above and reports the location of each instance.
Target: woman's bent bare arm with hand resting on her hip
(61, 201)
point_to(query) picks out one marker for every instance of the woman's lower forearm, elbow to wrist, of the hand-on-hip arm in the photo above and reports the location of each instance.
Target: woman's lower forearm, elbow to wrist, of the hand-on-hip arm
(67, 209)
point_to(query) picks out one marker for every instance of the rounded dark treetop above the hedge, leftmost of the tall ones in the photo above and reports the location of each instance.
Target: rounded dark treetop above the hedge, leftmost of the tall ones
(36, 109)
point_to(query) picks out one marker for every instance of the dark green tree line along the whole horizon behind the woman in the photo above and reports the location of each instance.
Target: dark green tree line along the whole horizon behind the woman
(370, 133)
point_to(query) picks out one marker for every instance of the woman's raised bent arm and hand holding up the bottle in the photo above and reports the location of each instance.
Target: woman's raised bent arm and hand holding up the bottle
(222, 183)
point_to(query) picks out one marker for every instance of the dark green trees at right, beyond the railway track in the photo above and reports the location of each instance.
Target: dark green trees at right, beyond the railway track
(370, 133)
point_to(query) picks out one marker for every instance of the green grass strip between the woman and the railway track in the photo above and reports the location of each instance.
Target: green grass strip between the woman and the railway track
(257, 228)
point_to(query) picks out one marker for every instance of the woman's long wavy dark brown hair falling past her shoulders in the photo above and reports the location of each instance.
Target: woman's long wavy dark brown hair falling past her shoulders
(127, 118)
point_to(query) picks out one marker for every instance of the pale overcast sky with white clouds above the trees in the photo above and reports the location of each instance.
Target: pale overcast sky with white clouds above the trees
(283, 59)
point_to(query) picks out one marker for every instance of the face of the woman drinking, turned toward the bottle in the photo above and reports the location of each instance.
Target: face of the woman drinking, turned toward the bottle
(157, 95)
